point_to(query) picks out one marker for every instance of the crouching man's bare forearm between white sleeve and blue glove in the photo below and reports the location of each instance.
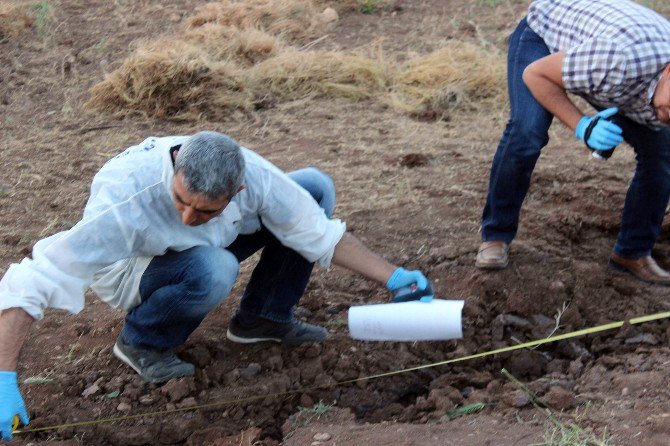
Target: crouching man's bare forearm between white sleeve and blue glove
(350, 253)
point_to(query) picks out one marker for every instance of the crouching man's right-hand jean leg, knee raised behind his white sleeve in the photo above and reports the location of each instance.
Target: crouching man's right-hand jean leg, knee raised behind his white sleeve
(280, 277)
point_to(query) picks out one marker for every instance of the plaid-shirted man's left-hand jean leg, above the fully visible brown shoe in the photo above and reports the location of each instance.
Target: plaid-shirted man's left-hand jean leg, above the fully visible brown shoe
(524, 137)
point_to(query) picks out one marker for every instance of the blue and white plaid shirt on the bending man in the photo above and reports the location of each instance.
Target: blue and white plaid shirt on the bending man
(615, 51)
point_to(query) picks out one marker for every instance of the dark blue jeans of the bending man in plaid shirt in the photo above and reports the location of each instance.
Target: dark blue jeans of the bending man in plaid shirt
(526, 134)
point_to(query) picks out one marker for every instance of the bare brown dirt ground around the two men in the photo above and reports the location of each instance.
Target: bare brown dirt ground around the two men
(412, 190)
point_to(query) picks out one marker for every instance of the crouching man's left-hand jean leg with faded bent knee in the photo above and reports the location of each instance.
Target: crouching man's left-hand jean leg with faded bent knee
(178, 290)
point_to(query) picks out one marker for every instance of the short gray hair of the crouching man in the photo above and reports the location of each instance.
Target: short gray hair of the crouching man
(212, 165)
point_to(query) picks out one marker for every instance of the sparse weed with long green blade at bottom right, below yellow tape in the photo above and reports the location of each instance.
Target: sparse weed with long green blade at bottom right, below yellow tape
(560, 433)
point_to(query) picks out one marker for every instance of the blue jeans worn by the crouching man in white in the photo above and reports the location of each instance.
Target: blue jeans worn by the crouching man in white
(179, 289)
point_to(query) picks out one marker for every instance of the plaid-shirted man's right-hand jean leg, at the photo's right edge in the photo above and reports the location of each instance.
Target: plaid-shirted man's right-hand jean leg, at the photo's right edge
(649, 190)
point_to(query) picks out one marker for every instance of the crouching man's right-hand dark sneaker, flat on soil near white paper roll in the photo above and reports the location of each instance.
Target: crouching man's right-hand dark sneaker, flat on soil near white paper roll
(290, 334)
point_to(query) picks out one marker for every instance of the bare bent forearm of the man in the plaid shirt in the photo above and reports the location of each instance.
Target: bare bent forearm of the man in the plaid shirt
(545, 81)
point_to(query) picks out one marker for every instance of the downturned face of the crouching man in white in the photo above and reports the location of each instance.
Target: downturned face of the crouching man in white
(193, 208)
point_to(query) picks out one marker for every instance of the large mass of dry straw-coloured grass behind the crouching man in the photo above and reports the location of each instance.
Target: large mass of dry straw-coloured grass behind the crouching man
(232, 56)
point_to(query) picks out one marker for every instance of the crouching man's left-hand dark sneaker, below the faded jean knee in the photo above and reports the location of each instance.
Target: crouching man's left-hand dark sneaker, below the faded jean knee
(153, 365)
